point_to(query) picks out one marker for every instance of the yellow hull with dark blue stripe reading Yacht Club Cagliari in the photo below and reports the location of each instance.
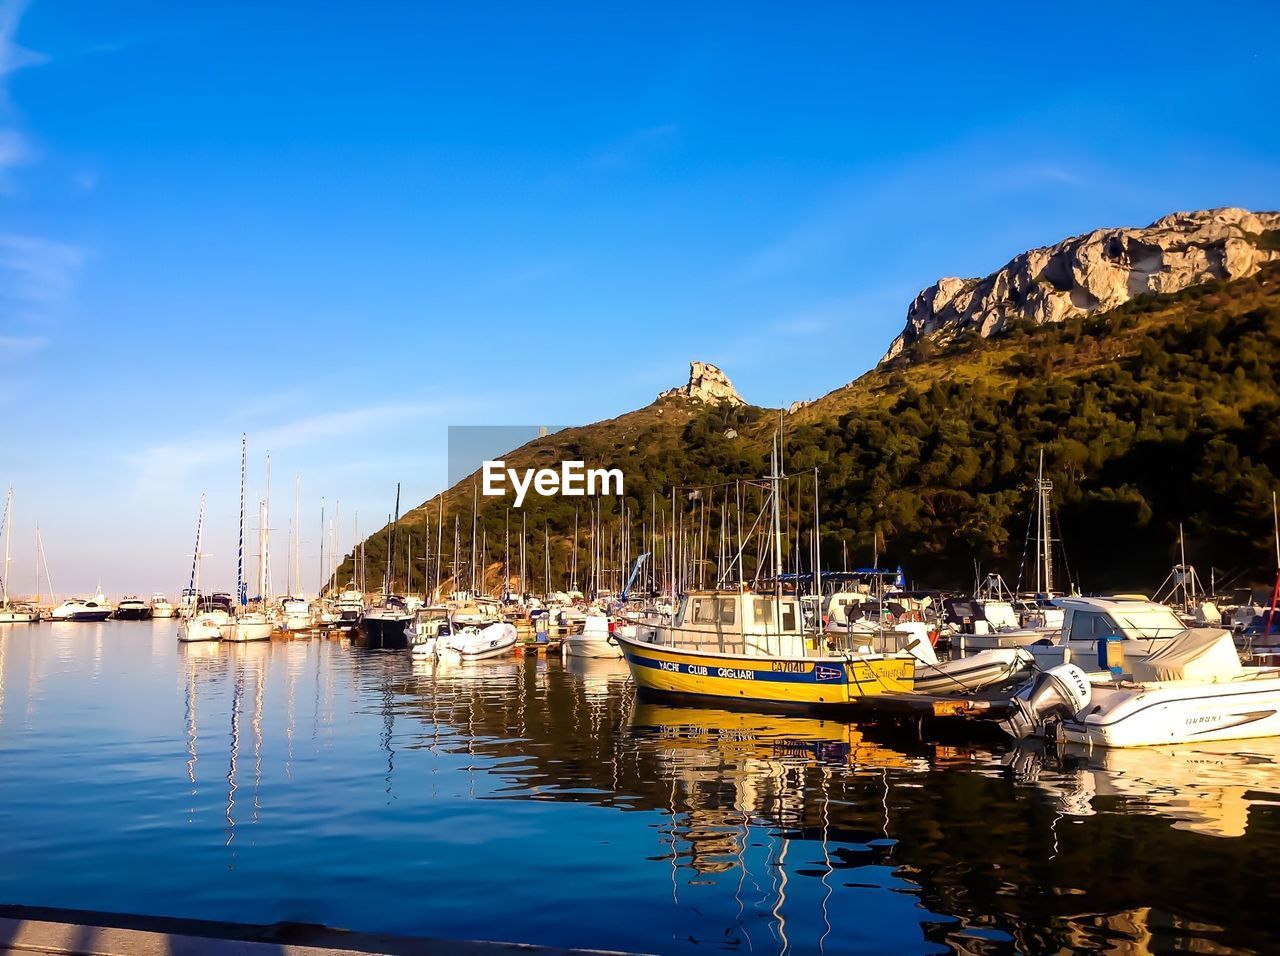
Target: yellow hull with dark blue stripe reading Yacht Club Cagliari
(799, 683)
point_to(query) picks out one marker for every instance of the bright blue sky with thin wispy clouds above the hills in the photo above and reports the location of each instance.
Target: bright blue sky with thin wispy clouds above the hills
(342, 228)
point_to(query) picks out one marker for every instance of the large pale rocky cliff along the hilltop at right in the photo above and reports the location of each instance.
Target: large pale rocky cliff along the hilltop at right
(1094, 273)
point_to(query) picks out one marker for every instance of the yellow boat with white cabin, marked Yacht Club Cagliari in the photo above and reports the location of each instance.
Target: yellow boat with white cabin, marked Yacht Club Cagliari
(752, 648)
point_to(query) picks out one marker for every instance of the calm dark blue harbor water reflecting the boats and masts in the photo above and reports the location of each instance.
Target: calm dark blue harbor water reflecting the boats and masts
(540, 802)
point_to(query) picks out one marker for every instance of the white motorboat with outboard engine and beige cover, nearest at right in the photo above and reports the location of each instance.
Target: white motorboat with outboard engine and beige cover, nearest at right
(1191, 689)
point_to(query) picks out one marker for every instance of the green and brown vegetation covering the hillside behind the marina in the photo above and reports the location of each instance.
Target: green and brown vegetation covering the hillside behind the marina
(1162, 413)
